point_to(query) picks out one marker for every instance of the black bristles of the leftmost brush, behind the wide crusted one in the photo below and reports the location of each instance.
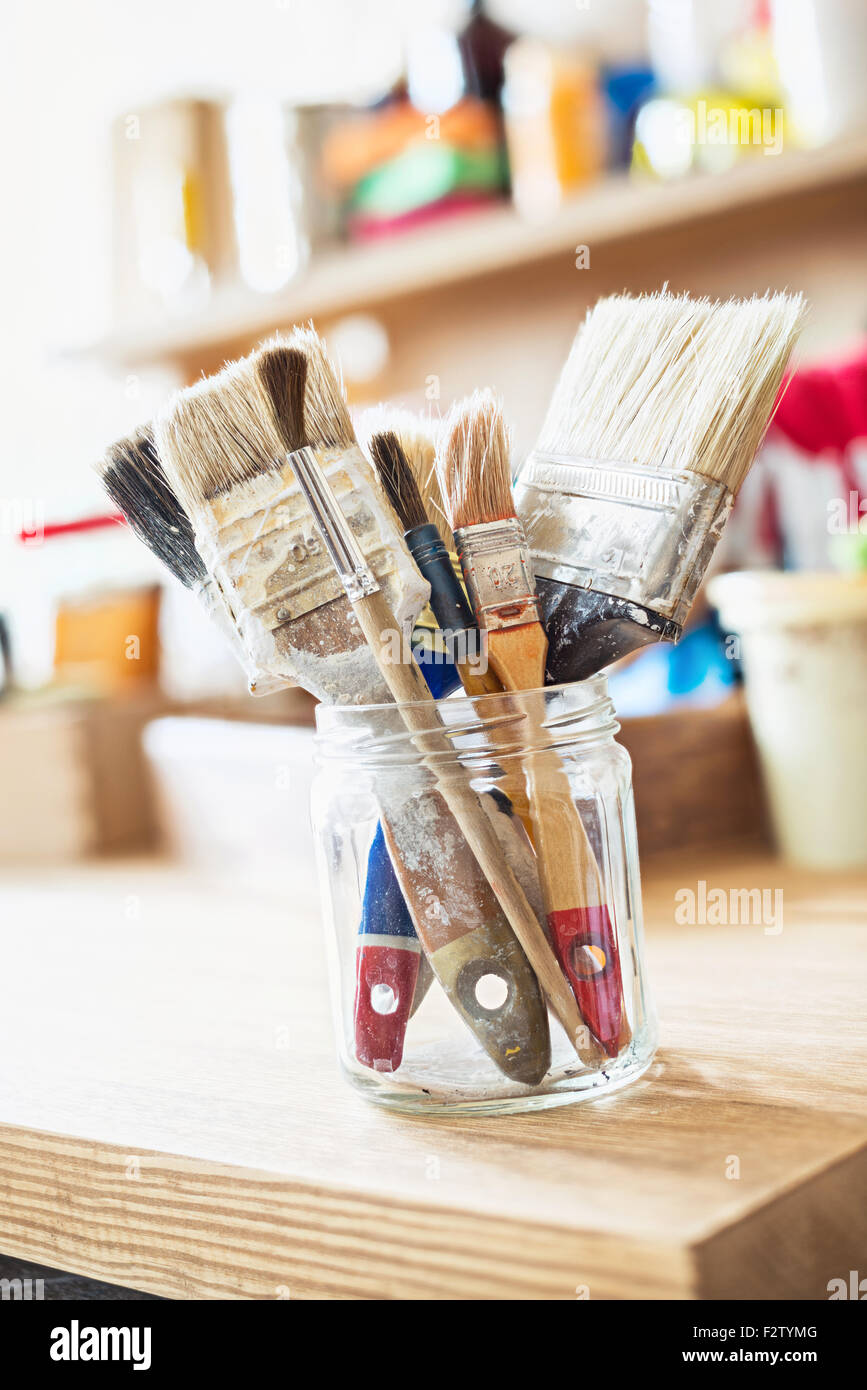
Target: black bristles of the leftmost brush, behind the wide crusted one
(137, 483)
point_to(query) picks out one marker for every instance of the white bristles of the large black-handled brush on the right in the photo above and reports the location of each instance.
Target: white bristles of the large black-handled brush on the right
(670, 382)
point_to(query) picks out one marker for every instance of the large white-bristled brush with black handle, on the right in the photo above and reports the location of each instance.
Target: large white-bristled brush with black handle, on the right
(657, 419)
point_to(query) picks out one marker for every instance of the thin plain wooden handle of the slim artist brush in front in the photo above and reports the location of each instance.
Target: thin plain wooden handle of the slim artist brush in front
(409, 689)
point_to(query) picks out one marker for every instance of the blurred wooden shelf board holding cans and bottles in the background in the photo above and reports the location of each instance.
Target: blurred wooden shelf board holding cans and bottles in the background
(483, 244)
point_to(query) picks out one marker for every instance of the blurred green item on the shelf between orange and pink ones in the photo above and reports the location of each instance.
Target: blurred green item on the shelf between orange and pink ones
(427, 174)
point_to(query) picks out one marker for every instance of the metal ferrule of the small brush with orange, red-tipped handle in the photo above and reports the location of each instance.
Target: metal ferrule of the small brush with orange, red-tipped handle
(498, 573)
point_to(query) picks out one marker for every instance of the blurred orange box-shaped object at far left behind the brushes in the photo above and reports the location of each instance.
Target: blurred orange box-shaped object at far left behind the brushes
(109, 643)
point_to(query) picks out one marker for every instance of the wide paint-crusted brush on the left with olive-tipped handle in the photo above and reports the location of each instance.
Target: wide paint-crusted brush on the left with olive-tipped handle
(227, 454)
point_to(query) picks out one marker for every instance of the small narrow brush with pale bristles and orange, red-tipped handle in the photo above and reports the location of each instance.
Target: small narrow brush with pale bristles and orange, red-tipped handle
(495, 559)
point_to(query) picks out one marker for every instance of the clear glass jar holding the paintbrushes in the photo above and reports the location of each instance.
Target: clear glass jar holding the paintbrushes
(437, 1004)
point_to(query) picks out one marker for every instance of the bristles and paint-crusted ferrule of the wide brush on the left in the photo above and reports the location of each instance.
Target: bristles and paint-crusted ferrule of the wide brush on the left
(255, 532)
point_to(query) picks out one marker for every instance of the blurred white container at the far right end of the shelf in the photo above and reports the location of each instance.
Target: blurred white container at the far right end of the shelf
(820, 48)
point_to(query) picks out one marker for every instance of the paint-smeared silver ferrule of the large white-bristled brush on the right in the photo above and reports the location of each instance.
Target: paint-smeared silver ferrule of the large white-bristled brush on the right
(640, 533)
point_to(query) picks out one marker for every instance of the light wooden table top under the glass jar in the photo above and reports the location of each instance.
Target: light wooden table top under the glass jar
(172, 1114)
